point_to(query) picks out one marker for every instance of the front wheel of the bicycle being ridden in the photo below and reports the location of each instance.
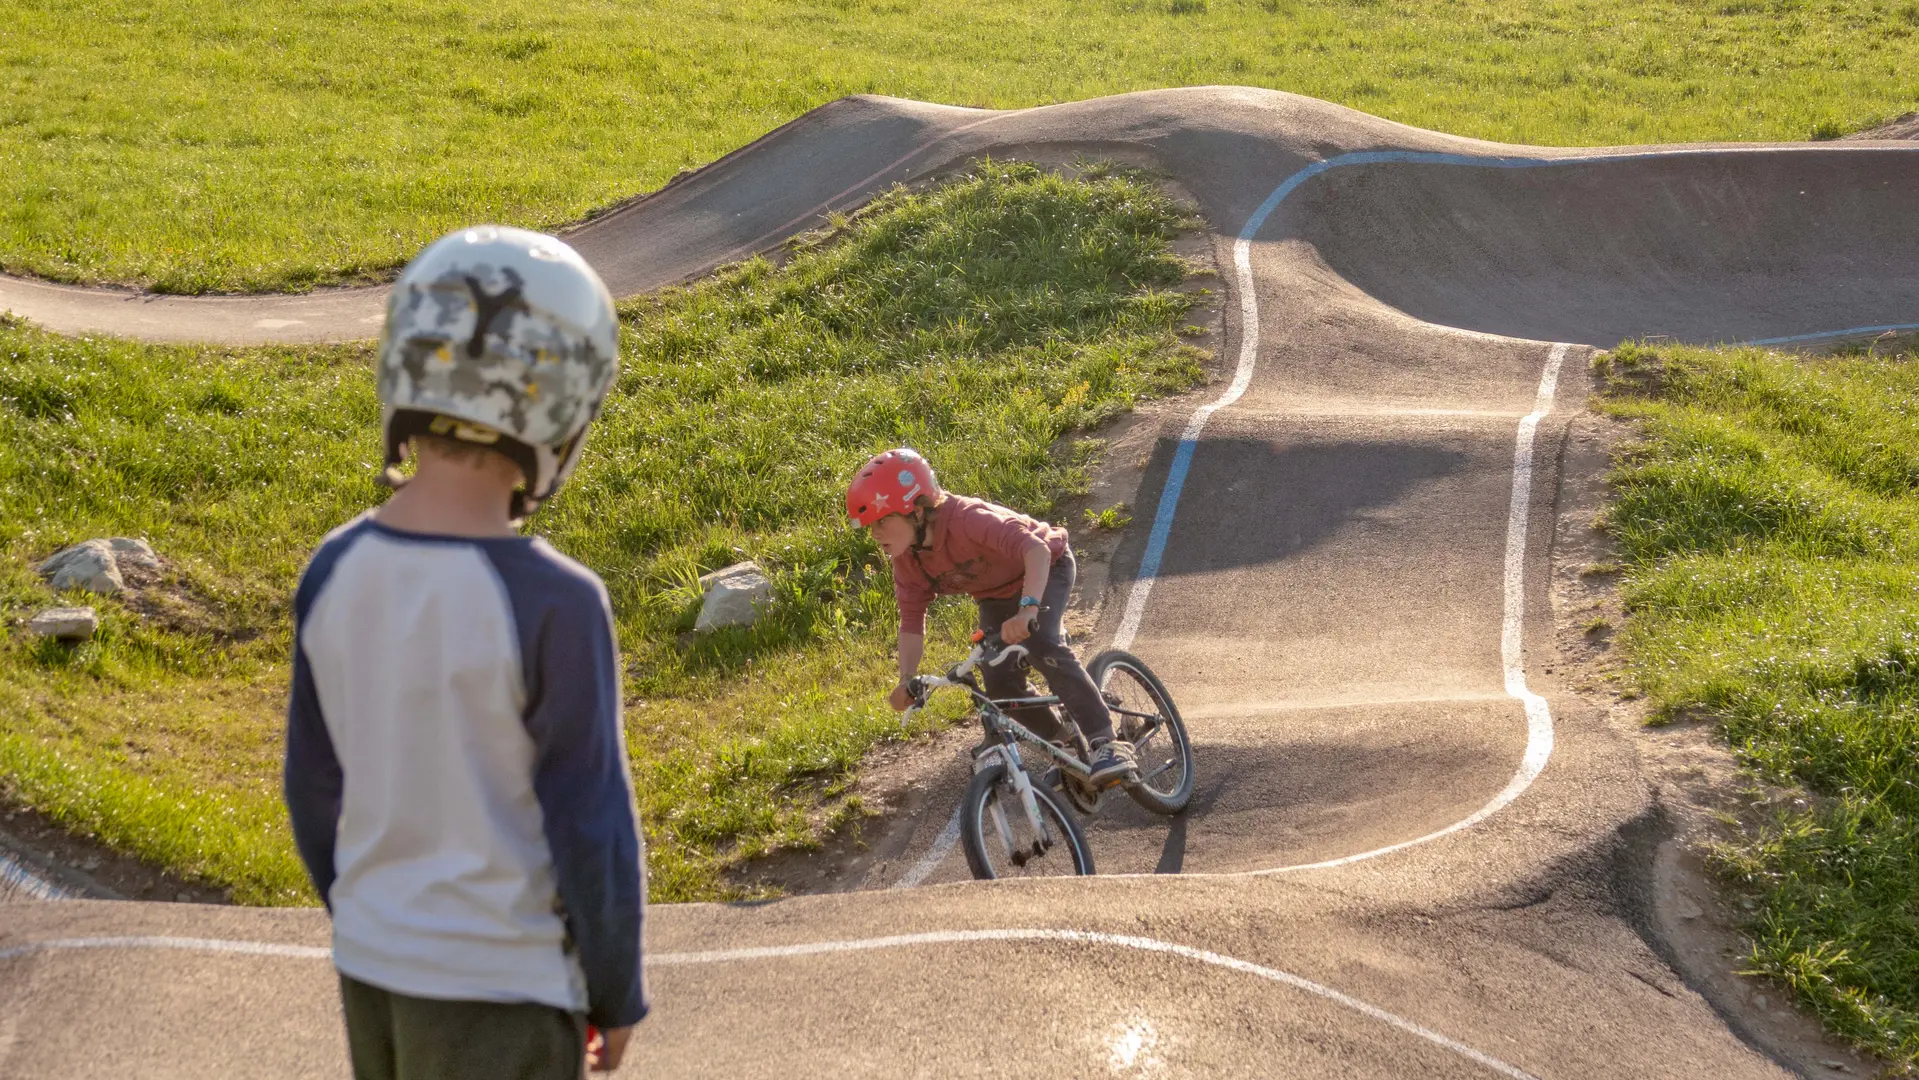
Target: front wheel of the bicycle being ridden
(1005, 837)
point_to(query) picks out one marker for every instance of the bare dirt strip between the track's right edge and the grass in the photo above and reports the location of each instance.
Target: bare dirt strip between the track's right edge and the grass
(1695, 780)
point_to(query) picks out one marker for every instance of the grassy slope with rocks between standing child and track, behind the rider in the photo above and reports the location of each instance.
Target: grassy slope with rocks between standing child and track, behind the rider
(980, 323)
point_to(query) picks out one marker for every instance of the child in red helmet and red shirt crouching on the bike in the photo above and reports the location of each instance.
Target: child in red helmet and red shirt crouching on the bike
(1018, 571)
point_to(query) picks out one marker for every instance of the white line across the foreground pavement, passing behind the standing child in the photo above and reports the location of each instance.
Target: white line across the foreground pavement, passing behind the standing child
(870, 945)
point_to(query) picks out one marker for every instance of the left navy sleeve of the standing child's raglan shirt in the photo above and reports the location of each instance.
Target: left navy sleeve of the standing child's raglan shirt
(312, 780)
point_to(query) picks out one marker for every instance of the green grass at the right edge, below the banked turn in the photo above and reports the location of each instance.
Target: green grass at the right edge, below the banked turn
(1770, 525)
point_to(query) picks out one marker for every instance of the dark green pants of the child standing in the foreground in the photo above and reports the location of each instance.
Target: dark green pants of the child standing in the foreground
(394, 1037)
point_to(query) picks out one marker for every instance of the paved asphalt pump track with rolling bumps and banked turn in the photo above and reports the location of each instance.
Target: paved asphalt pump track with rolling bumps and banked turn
(1352, 611)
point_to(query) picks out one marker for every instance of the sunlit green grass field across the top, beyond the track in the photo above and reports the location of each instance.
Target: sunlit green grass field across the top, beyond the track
(197, 145)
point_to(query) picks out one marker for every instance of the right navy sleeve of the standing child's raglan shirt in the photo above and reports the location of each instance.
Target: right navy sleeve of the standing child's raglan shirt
(580, 776)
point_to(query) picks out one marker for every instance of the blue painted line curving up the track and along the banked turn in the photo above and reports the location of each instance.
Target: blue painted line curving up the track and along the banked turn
(1170, 500)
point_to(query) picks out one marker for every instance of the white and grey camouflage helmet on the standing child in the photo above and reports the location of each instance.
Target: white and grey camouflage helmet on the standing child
(500, 337)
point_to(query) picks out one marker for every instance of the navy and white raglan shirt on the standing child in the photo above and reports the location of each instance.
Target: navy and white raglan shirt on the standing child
(458, 776)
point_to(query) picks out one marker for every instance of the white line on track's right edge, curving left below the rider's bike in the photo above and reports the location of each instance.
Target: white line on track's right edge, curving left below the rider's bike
(1511, 638)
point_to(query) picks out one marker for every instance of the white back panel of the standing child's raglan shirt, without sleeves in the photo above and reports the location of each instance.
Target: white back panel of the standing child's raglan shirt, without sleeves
(444, 876)
